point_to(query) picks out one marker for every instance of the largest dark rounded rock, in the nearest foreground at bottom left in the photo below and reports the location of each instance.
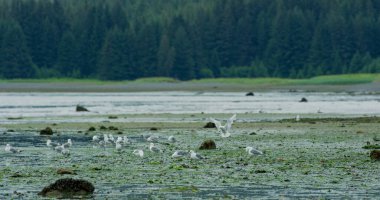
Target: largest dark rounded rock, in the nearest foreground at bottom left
(68, 188)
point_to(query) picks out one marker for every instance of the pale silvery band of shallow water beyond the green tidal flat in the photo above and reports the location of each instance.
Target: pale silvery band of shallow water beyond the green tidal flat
(48, 105)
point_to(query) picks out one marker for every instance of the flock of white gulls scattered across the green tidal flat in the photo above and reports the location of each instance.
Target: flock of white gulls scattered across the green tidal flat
(108, 140)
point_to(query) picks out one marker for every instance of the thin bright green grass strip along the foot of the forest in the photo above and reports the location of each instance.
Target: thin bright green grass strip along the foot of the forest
(344, 79)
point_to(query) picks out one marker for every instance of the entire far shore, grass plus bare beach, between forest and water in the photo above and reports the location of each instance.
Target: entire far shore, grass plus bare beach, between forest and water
(327, 83)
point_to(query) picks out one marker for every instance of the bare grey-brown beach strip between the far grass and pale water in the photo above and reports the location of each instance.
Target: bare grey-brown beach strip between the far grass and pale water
(182, 86)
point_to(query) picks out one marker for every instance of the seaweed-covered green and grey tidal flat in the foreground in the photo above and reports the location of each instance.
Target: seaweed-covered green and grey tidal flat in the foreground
(318, 157)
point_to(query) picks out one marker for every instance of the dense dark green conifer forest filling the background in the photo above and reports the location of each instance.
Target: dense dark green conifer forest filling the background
(188, 39)
